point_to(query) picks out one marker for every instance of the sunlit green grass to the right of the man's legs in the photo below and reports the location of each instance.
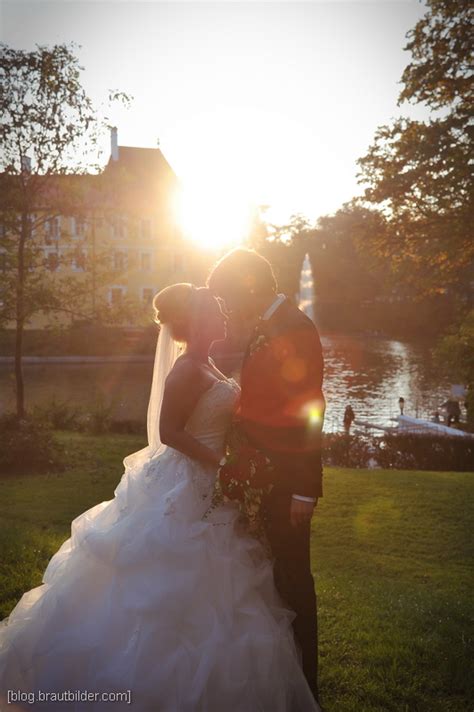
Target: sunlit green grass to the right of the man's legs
(392, 560)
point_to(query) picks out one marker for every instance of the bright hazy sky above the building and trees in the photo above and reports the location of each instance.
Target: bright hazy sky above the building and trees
(252, 102)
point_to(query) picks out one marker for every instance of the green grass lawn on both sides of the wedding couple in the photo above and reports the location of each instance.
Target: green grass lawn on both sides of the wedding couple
(392, 560)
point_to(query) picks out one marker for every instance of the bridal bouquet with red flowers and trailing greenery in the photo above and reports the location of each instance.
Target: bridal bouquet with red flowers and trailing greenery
(245, 475)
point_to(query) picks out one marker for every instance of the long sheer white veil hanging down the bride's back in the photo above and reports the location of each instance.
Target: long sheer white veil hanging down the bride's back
(167, 351)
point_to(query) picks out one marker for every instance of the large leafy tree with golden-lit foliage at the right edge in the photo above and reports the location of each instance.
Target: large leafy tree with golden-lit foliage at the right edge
(419, 173)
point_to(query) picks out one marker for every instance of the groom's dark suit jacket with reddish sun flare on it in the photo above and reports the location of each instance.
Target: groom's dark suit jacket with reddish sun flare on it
(282, 405)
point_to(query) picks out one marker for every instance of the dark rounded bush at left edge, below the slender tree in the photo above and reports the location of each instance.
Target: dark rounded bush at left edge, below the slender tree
(27, 447)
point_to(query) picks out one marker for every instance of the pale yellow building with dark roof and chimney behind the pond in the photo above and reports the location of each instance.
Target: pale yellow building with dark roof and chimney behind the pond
(125, 221)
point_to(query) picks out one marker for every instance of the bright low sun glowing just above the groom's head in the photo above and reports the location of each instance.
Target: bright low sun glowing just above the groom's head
(215, 215)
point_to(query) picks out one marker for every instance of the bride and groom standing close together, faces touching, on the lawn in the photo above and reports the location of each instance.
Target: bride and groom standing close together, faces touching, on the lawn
(164, 591)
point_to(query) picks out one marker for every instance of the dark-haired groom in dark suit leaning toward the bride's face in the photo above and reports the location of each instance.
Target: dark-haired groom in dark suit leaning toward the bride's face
(282, 412)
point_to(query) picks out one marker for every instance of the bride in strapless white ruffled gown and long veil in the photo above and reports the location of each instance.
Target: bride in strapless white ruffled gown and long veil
(159, 602)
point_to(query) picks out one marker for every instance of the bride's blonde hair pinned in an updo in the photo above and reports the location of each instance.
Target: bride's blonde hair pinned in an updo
(174, 306)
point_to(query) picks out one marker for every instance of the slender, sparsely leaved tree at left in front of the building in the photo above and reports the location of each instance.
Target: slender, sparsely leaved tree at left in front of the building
(49, 132)
